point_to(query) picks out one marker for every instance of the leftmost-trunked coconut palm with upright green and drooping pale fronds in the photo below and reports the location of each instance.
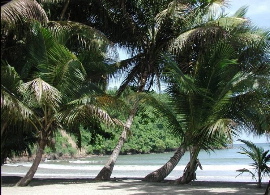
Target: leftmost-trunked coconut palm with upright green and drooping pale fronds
(45, 99)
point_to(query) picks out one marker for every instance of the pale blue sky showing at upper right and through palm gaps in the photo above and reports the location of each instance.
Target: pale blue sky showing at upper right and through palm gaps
(259, 14)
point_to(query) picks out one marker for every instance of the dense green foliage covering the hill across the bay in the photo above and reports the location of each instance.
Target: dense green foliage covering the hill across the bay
(150, 132)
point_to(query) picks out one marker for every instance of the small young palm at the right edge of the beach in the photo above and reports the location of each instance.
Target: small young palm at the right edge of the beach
(260, 159)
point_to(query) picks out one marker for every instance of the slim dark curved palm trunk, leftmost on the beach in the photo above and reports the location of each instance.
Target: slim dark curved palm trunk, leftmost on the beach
(30, 174)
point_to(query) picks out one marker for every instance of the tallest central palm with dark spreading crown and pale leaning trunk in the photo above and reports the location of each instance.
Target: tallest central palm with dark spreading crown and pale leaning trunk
(145, 29)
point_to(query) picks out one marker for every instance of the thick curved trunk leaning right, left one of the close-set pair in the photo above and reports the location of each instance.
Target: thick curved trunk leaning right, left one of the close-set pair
(161, 173)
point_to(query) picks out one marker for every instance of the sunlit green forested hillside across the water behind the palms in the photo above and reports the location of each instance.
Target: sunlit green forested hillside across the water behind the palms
(150, 132)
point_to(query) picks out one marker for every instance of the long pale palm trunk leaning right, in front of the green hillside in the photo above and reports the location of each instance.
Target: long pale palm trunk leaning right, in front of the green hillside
(106, 171)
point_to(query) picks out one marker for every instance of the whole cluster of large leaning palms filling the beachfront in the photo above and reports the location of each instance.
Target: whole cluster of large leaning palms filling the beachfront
(58, 55)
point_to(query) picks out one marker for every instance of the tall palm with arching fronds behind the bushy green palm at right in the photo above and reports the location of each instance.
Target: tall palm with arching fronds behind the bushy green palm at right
(243, 42)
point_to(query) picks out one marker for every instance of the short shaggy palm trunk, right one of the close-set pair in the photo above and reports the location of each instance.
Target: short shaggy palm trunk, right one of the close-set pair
(190, 170)
